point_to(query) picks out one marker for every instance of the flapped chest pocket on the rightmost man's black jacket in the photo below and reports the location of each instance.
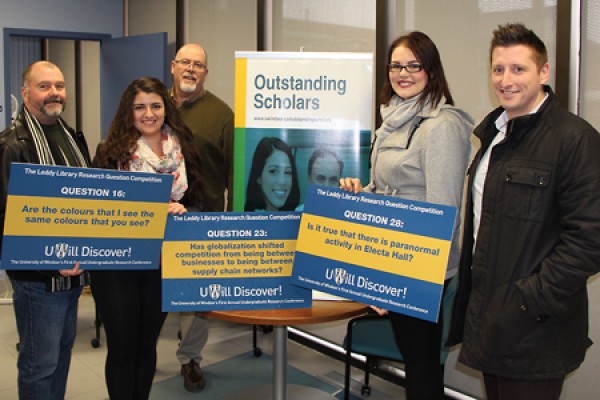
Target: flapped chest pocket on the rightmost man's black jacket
(525, 187)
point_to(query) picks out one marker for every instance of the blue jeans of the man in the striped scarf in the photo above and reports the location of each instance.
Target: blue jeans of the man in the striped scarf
(47, 324)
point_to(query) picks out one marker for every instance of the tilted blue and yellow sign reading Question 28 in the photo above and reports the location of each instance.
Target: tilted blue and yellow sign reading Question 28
(382, 251)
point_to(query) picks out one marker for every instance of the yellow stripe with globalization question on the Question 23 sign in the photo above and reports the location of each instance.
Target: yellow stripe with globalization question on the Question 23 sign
(234, 259)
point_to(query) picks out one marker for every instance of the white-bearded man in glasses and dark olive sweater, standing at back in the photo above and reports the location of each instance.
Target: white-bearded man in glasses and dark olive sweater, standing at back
(211, 121)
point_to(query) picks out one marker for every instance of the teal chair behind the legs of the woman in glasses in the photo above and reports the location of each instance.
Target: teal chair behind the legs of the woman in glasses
(373, 337)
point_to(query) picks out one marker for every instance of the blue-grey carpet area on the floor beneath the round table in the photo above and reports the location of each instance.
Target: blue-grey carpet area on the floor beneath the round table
(233, 374)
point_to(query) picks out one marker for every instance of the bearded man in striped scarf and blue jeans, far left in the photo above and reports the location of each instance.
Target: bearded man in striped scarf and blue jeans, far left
(45, 302)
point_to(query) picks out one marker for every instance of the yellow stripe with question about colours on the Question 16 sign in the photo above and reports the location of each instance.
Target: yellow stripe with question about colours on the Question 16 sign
(51, 216)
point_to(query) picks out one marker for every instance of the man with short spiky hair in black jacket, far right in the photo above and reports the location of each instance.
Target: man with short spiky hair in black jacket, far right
(532, 231)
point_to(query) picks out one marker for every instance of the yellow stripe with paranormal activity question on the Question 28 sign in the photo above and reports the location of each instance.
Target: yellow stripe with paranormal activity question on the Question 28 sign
(380, 249)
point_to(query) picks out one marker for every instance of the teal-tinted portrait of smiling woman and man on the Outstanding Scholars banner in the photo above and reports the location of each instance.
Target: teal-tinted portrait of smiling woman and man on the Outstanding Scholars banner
(281, 163)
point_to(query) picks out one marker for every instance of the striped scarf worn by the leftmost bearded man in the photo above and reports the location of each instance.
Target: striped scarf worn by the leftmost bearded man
(42, 147)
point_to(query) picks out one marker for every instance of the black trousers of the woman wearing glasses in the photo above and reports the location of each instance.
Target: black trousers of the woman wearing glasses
(420, 342)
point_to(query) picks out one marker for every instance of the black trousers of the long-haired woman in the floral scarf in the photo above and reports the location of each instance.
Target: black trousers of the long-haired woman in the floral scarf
(129, 304)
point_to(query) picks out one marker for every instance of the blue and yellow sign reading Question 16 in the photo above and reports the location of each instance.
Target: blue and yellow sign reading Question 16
(105, 219)
